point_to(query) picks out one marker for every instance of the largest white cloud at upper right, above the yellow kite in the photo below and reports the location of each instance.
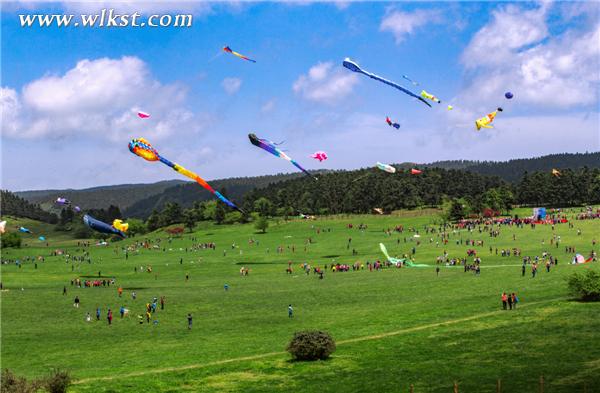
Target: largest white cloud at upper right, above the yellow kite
(515, 52)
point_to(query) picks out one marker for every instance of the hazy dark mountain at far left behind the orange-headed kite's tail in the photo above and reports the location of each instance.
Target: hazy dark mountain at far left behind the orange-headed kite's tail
(122, 195)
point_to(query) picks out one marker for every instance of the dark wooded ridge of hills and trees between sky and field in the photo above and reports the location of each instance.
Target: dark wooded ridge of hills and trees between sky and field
(522, 181)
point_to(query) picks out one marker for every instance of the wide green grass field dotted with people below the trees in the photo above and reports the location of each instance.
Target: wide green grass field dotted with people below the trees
(393, 327)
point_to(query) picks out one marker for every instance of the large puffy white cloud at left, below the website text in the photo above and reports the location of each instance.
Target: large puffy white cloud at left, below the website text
(97, 98)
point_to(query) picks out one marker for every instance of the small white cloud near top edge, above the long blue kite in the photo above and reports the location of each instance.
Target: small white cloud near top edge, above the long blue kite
(402, 24)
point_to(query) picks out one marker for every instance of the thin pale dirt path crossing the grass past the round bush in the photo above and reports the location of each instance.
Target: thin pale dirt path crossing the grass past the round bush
(270, 354)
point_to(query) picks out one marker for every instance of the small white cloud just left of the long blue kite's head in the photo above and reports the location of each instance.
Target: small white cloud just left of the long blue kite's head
(325, 84)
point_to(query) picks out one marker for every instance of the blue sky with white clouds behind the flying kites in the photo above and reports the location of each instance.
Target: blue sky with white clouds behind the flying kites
(69, 96)
